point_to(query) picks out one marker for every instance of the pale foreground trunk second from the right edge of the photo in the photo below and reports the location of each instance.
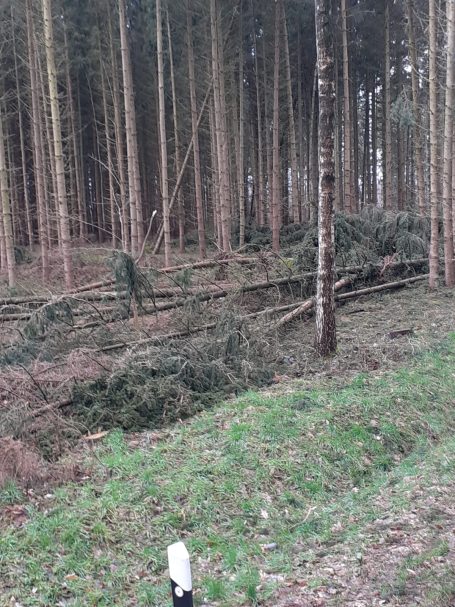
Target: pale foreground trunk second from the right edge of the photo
(433, 85)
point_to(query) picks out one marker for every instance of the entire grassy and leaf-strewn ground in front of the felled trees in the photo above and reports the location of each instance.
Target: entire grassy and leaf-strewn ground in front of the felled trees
(335, 486)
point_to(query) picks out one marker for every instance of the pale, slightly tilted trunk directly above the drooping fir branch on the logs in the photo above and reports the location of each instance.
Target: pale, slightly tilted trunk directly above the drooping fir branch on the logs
(134, 178)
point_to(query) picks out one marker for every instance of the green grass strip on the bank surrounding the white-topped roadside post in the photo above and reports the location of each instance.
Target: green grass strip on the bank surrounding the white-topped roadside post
(231, 481)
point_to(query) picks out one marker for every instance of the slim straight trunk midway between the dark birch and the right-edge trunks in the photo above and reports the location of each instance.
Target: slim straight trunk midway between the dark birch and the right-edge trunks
(387, 107)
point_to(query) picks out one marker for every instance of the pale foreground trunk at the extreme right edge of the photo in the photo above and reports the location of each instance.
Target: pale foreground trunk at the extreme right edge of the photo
(448, 148)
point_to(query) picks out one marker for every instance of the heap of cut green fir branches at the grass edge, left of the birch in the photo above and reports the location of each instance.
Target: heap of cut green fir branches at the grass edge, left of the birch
(164, 383)
